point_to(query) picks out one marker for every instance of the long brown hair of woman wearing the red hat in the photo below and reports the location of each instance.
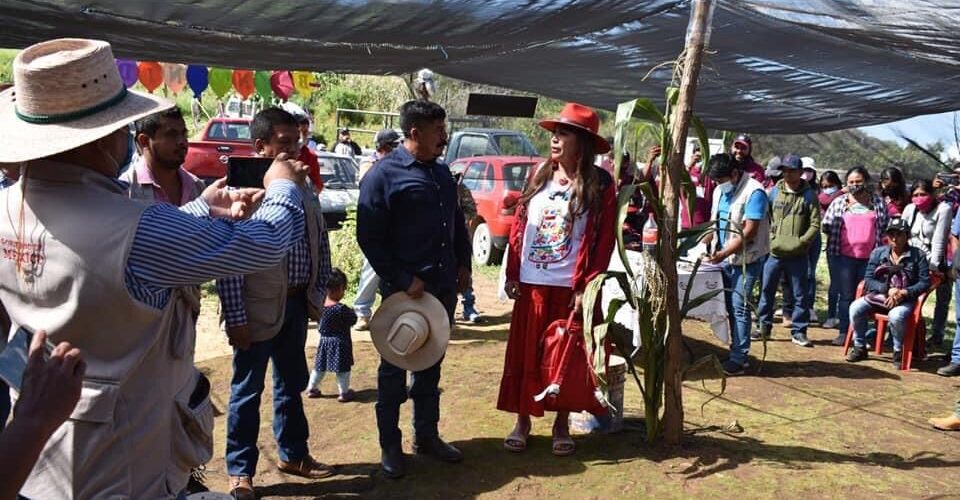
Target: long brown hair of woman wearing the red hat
(586, 186)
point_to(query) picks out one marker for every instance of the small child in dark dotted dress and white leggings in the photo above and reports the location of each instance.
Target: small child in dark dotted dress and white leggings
(335, 352)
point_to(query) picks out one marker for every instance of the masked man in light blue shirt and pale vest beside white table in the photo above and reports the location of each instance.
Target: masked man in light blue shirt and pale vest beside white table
(742, 244)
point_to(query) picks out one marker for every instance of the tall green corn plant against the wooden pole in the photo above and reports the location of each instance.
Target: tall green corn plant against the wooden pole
(644, 288)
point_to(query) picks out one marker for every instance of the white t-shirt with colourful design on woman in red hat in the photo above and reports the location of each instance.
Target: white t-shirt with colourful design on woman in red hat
(551, 240)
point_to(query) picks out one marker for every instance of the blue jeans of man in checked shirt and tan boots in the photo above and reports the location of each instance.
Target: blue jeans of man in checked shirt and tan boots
(290, 374)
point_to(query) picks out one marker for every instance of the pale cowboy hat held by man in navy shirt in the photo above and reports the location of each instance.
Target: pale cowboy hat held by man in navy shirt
(411, 333)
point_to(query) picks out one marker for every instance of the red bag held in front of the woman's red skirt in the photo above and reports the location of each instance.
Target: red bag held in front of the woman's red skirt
(565, 370)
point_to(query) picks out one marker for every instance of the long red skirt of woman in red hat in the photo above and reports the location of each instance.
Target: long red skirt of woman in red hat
(537, 307)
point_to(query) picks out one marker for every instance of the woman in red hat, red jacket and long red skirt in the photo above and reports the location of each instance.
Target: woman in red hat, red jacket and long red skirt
(562, 238)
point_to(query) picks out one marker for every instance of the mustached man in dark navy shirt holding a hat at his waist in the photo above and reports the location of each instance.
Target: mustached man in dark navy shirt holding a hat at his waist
(411, 229)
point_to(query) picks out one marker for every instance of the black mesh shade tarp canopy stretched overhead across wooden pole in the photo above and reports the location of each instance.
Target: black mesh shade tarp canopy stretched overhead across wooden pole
(774, 66)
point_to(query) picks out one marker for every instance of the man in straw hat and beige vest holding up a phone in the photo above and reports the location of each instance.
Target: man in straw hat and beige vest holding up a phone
(94, 268)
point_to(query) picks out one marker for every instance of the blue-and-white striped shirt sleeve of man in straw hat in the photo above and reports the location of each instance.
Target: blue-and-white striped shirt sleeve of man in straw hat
(177, 247)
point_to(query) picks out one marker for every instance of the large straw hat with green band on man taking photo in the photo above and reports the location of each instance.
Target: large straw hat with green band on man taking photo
(66, 93)
